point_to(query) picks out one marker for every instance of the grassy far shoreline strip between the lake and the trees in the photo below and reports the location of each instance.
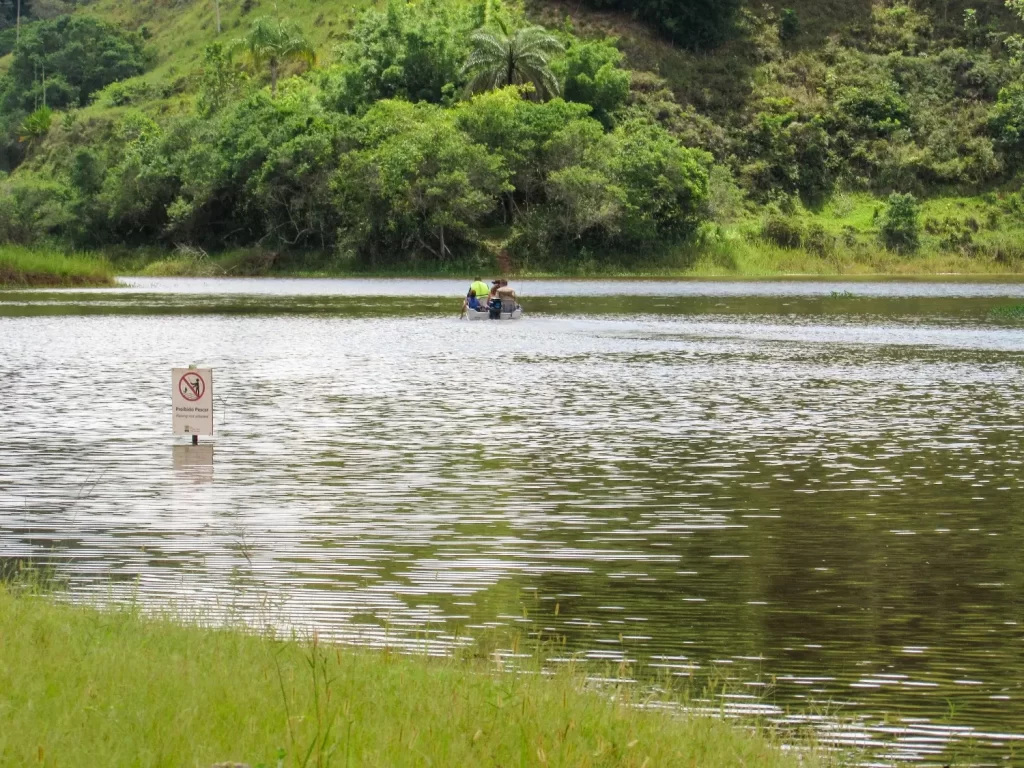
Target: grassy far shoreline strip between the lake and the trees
(39, 269)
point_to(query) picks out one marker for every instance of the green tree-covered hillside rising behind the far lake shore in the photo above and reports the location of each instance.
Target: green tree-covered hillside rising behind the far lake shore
(470, 132)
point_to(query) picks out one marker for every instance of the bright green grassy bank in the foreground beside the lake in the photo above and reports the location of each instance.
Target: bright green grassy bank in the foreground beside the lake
(80, 687)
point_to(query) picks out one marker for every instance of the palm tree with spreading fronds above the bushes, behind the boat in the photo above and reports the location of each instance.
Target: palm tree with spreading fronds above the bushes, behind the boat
(500, 59)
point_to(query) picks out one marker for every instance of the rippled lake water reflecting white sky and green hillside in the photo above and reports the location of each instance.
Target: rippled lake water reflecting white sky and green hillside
(817, 497)
